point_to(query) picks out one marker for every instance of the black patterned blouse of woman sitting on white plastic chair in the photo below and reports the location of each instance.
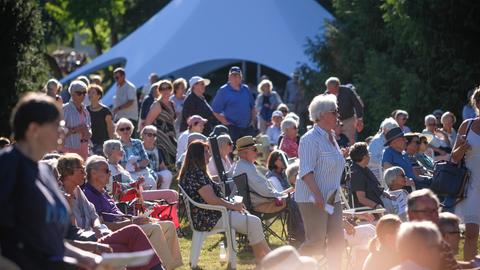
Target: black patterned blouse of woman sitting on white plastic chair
(194, 179)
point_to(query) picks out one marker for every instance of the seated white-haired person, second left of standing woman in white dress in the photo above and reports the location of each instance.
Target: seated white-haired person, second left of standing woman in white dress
(439, 143)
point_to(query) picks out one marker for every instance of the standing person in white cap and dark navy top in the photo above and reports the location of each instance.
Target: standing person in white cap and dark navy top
(196, 104)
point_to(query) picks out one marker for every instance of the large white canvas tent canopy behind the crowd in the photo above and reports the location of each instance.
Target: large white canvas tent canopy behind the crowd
(195, 37)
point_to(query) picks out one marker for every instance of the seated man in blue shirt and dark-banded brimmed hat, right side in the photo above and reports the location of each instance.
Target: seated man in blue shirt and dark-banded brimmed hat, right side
(395, 155)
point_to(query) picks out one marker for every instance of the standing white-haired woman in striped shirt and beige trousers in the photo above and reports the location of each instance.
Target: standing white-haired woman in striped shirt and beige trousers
(321, 167)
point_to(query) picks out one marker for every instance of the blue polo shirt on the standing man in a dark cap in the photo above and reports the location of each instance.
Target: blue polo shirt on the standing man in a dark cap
(236, 105)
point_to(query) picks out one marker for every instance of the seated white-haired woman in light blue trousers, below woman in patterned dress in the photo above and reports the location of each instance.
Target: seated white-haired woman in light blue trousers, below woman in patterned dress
(155, 155)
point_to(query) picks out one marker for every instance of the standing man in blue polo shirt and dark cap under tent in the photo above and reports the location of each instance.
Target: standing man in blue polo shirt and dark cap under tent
(234, 106)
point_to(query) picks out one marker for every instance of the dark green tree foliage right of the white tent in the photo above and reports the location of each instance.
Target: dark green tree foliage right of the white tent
(414, 55)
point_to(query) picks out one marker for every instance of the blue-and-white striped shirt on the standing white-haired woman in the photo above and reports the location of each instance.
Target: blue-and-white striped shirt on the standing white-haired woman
(318, 155)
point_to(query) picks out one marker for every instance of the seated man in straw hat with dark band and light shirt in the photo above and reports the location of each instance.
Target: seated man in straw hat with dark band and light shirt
(266, 201)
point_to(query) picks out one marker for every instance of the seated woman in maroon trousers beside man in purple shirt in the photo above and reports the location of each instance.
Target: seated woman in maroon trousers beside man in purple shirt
(127, 239)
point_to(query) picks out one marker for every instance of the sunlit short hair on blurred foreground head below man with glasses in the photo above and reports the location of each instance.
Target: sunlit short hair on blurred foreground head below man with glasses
(413, 234)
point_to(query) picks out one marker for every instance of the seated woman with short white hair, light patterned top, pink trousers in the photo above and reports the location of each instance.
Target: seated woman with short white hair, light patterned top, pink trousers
(113, 150)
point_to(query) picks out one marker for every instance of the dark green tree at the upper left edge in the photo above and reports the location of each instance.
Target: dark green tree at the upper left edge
(23, 67)
